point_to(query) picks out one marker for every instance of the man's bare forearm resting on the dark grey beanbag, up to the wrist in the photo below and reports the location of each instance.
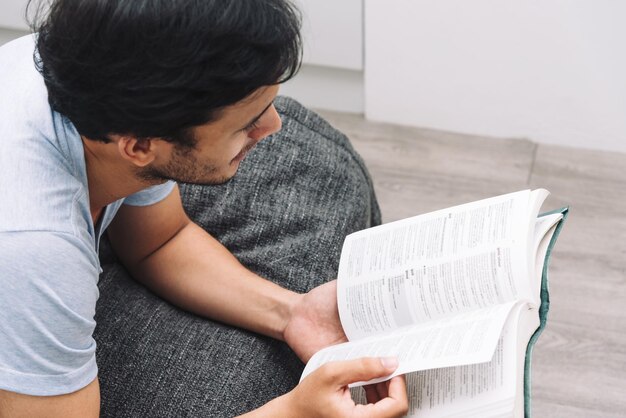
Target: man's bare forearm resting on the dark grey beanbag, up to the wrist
(178, 260)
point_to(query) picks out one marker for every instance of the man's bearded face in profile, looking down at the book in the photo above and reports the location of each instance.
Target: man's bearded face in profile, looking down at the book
(221, 145)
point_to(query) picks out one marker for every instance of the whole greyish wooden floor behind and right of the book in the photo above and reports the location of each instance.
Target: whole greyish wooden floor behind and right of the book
(579, 364)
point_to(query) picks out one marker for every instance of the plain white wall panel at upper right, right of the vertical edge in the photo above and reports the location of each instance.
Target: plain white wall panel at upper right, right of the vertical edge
(553, 71)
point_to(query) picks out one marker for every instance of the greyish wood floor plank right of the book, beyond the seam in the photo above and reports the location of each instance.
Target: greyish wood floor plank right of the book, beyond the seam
(579, 365)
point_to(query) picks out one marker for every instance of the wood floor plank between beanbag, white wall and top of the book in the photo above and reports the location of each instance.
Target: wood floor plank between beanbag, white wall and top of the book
(419, 170)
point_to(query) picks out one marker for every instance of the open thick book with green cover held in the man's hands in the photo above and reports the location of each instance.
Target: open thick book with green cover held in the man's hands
(459, 296)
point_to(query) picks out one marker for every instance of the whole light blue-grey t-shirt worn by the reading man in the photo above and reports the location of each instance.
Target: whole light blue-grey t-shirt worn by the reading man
(48, 244)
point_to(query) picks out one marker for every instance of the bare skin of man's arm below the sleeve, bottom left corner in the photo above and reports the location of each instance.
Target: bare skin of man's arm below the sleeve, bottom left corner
(84, 403)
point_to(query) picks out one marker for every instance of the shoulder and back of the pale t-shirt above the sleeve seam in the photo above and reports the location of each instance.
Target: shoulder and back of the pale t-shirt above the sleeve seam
(43, 184)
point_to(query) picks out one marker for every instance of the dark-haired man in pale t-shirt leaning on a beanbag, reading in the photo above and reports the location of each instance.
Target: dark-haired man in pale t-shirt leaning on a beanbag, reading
(122, 100)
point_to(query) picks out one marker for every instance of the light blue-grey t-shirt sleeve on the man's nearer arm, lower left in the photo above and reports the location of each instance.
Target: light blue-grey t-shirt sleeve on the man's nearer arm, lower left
(48, 294)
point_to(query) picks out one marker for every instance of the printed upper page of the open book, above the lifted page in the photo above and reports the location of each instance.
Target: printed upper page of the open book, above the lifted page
(435, 265)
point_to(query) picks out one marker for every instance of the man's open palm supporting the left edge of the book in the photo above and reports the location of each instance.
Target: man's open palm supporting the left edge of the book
(314, 322)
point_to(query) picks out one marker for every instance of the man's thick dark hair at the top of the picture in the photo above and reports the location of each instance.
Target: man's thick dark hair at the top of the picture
(155, 68)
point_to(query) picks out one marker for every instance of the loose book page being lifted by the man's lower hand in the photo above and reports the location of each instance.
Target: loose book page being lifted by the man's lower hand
(462, 339)
